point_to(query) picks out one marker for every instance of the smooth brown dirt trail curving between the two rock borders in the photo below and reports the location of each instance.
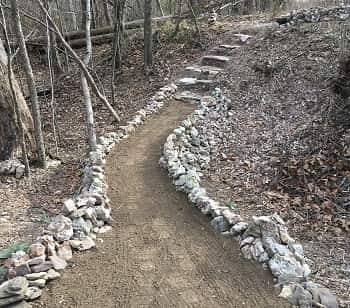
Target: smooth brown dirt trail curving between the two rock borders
(161, 252)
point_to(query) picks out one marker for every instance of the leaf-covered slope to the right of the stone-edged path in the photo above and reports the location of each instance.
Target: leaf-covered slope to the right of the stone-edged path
(286, 148)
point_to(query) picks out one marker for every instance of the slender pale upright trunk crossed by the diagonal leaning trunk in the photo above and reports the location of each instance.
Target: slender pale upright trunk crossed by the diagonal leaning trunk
(87, 97)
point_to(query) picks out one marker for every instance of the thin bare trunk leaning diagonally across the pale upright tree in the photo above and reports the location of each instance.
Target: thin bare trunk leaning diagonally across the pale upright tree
(82, 66)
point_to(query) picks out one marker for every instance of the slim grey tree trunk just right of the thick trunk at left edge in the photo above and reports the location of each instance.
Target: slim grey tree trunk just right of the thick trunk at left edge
(31, 84)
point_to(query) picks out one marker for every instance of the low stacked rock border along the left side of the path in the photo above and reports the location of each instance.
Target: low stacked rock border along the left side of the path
(82, 218)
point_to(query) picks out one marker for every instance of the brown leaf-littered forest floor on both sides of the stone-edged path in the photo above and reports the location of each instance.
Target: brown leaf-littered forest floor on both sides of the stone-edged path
(286, 151)
